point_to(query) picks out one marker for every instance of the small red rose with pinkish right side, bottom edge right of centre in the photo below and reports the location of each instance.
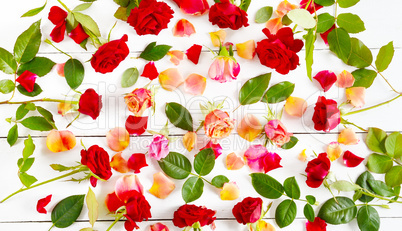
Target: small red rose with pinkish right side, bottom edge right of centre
(248, 210)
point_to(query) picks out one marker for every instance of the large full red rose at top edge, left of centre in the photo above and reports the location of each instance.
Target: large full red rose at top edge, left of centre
(150, 17)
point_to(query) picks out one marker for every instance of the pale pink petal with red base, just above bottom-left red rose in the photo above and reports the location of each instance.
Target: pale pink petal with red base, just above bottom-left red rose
(126, 184)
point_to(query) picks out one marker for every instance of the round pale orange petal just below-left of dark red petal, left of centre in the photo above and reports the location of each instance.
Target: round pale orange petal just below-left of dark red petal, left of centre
(118, 139)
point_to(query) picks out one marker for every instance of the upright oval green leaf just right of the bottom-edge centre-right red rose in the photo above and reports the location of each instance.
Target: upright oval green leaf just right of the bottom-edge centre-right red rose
(285, 213)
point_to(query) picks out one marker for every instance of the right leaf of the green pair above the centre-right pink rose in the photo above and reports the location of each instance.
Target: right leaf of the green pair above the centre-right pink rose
(279, 92)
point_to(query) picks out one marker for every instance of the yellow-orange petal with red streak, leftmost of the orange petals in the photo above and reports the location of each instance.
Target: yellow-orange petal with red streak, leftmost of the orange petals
(60, 141)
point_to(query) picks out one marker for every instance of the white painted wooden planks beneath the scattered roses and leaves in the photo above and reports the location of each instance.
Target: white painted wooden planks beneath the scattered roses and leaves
(383, 24)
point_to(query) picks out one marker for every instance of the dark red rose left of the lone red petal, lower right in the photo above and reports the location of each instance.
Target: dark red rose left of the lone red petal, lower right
(317, 169)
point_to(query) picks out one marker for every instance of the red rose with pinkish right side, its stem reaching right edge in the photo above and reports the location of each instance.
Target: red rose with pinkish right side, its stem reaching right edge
(326, 114)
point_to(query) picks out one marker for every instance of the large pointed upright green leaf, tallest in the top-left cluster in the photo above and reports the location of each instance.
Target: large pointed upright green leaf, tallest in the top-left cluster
(27, 45)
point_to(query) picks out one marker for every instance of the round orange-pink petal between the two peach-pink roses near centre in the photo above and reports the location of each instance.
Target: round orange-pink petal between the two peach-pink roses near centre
(249, 128)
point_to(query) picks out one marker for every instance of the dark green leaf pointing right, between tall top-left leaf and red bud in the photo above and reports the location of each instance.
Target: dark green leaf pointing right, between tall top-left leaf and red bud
(40, 66)
